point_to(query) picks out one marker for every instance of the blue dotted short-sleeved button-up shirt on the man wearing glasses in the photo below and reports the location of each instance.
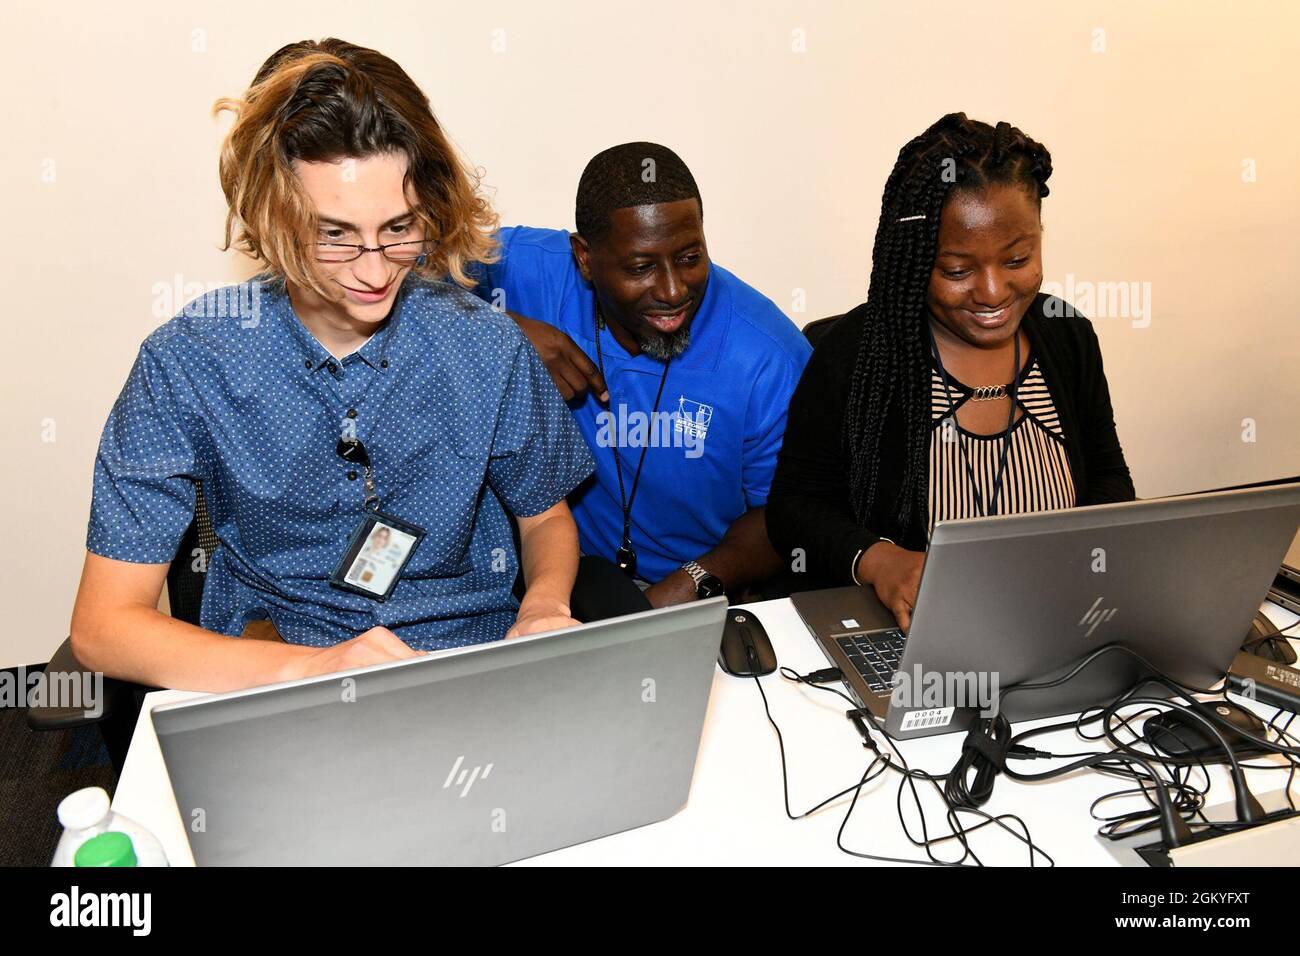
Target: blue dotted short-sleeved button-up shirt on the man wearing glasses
(457, 412)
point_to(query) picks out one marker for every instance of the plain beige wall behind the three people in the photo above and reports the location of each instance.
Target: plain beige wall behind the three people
(790, 114)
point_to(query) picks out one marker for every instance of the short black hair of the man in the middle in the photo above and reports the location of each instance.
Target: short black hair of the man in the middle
(630, 175)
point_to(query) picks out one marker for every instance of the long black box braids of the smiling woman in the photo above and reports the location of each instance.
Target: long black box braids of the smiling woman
(892, 367)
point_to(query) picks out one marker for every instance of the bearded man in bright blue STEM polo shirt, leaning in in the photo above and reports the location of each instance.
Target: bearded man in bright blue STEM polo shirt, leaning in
(678, 373)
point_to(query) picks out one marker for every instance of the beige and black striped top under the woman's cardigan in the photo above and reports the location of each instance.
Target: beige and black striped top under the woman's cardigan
(1037, 477)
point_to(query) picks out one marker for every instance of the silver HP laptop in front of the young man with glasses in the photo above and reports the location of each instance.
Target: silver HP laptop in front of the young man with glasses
(474, 756)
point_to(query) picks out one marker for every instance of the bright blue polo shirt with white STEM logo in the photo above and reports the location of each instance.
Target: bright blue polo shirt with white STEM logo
(726, 399)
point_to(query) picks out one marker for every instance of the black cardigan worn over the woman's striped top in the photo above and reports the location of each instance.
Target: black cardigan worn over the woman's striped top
(809, 507)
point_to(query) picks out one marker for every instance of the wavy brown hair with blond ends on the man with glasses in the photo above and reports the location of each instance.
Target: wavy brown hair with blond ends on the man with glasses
(326, 101)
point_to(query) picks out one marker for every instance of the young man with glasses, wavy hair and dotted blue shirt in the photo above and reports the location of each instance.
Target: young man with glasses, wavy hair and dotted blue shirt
(361, 391)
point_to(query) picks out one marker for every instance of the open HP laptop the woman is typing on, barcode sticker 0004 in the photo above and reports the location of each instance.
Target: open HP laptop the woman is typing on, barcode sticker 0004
(1021, 599)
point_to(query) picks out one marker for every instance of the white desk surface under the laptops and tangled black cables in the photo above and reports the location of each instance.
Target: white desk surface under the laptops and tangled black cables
(735, 815)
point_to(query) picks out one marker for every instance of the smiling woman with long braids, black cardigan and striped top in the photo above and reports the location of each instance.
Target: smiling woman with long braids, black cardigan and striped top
(957, 390)
